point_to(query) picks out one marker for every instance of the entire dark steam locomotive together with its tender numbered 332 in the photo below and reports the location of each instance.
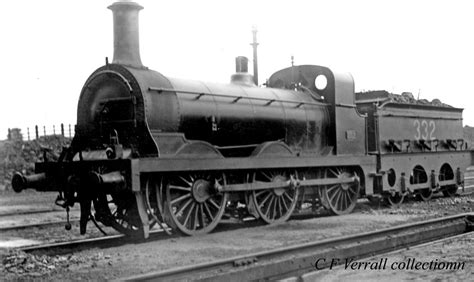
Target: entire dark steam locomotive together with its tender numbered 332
(151, 149)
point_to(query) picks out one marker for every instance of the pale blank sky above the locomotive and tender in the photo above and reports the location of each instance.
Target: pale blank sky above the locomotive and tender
(50, 47)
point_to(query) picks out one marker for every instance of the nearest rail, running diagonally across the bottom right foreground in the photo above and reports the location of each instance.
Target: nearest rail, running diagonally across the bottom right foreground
(297, 260)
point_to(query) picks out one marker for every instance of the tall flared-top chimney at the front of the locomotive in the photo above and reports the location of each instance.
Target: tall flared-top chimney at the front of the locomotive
(126, 40)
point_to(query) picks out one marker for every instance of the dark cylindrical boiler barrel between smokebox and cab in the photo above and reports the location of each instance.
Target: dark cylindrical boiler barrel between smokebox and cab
(232, 114)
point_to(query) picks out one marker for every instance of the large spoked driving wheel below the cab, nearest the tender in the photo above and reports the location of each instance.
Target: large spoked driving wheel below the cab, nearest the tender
(340, 198)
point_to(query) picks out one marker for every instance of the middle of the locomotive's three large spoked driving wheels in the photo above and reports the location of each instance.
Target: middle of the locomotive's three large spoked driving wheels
(274, 205)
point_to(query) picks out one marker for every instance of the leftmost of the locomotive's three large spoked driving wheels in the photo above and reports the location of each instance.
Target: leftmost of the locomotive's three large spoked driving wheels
(192, 203)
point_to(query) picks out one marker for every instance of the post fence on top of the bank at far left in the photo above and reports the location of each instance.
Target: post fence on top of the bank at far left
(41, 131)
